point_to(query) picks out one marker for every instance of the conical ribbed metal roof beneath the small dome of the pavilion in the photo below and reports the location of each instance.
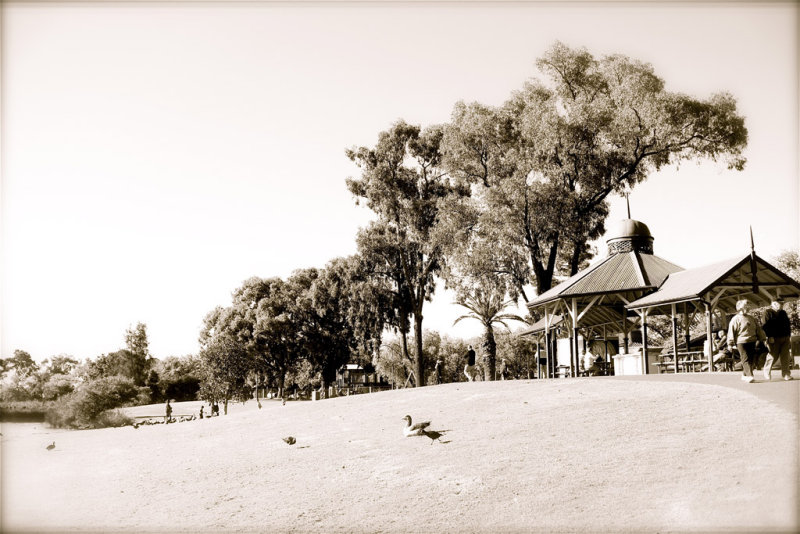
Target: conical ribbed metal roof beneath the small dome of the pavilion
(620, 273)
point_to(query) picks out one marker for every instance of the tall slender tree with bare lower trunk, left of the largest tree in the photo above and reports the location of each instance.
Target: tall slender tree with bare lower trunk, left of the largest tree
(403, 182)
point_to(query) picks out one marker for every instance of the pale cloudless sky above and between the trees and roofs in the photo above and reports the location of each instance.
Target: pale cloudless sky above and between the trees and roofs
(157, 154)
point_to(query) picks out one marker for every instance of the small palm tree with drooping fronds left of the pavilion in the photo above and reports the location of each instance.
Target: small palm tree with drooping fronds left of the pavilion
(487, 307)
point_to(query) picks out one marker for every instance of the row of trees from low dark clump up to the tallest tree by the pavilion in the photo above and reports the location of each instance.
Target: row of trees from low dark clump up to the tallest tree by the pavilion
(497, 204)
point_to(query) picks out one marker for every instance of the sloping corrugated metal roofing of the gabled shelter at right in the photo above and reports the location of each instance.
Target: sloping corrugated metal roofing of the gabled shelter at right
(692, 284)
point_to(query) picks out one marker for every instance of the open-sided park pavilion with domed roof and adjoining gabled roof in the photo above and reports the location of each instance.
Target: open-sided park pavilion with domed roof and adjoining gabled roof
(618, 294)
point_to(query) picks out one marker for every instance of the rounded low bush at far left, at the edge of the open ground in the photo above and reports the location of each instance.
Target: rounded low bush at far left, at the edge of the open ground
(84, 407)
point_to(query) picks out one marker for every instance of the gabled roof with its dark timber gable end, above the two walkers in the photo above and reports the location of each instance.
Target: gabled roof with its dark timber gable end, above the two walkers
(734, 275)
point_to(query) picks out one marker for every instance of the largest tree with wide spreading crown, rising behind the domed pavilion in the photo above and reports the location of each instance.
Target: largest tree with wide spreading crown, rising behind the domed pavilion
(547, 160)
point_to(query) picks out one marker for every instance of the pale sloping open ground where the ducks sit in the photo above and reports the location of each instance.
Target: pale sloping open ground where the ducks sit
(573, 455)
